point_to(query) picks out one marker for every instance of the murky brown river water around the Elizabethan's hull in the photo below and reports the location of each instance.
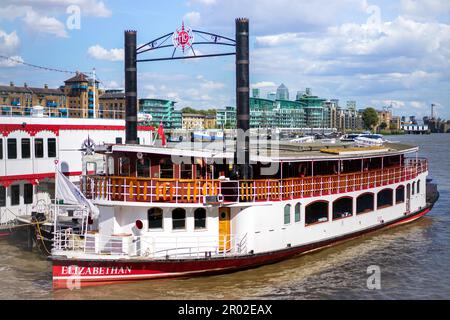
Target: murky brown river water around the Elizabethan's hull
(414, 262)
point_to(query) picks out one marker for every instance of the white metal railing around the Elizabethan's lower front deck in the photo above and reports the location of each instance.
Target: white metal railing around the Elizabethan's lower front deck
(161, 247)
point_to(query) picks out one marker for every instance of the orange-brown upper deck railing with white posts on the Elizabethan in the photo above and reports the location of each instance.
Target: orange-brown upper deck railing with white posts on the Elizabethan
(130, 189)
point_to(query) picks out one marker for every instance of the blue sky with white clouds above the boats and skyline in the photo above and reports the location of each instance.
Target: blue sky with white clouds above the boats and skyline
(375, 52)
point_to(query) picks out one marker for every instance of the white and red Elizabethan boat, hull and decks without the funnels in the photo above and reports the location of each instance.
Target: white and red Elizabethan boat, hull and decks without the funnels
(165, 217)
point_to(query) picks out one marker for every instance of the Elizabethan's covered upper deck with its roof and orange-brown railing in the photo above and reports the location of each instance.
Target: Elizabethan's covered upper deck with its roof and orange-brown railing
(174, 175)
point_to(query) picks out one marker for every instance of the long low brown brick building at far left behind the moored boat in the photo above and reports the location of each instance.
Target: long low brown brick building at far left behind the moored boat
(19, 101)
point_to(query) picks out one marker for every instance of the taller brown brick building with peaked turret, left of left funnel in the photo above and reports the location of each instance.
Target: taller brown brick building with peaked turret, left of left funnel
(81, 93)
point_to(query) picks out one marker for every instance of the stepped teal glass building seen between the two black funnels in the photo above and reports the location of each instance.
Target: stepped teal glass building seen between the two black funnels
(161, 111)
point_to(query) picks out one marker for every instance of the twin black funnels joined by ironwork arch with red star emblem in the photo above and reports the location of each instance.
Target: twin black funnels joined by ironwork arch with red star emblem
(185, 38)
